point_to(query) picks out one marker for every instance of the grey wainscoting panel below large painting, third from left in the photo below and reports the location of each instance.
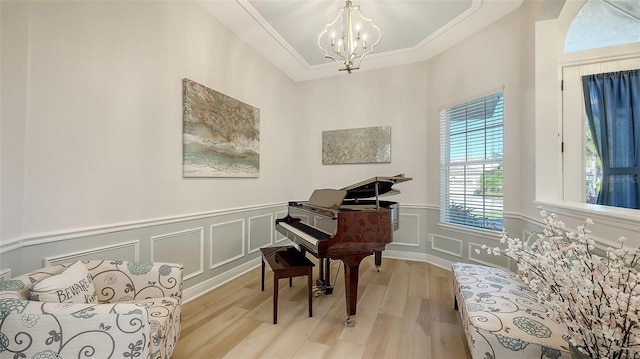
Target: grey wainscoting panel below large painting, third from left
(226, 242)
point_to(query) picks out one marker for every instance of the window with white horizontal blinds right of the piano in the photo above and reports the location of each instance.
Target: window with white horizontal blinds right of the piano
(471, 152)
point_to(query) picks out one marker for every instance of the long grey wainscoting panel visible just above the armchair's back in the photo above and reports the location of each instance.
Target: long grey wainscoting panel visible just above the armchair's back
(126, 251)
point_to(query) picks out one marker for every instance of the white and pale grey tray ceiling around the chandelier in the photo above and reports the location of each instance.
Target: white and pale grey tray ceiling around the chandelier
(286, 31)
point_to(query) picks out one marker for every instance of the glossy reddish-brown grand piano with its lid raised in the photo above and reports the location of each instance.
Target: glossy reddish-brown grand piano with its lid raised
(348, 224)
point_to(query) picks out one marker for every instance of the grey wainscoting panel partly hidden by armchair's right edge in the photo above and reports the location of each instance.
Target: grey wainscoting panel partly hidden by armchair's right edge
(182, 247)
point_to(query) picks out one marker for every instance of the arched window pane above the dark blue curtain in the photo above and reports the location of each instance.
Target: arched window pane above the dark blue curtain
(604, 23)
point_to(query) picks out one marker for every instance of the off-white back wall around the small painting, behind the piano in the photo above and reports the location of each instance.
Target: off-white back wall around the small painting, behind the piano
(395, 97)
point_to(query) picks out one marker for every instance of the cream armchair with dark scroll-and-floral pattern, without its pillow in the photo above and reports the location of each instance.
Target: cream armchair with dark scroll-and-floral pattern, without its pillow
(136, 314)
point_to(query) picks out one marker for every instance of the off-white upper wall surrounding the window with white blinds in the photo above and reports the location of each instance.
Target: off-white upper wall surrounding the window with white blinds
(499, 58)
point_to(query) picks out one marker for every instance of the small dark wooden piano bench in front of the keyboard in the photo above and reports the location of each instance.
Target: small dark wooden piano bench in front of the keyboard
(287, 262)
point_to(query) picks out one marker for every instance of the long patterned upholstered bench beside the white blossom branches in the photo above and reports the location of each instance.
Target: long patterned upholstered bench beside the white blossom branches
(501, 316)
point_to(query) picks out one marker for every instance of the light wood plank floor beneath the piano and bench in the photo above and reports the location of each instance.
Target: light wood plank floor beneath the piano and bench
(404, 312)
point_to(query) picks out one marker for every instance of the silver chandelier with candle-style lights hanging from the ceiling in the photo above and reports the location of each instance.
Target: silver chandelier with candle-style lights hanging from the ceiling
(349, 38)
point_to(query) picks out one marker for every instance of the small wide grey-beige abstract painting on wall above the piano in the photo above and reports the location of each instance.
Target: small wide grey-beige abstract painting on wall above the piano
(358, 145)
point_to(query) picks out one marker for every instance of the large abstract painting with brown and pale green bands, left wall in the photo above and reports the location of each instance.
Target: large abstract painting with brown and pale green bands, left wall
(221, 135)
